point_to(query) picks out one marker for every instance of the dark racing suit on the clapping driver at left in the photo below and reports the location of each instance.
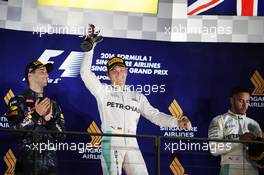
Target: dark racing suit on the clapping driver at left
(22, 115)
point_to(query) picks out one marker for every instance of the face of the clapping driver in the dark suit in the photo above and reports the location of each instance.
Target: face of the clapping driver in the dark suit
(39, 77)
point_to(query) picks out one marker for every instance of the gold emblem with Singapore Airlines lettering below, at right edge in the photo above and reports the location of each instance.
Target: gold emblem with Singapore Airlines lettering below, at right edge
(257, 96)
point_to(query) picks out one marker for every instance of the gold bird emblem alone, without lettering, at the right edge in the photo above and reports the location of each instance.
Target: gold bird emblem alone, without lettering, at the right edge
(258, 82)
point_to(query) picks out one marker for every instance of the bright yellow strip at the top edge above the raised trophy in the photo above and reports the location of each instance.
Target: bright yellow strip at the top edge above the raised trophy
(140, 6)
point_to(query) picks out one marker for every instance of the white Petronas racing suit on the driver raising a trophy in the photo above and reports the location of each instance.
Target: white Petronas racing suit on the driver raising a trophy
(119, 113)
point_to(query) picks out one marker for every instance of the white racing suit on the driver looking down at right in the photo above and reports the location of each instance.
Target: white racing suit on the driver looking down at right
(234, 156)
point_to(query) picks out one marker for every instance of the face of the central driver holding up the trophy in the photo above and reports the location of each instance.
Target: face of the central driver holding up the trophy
(118, 75)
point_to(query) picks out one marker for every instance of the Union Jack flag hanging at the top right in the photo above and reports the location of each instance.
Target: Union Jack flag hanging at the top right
(226, 7)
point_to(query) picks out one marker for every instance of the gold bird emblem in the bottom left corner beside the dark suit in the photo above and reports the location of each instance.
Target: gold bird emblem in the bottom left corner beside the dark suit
(10, 161)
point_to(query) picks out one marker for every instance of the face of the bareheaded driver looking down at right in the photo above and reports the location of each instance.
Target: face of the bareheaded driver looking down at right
(240, 103)
